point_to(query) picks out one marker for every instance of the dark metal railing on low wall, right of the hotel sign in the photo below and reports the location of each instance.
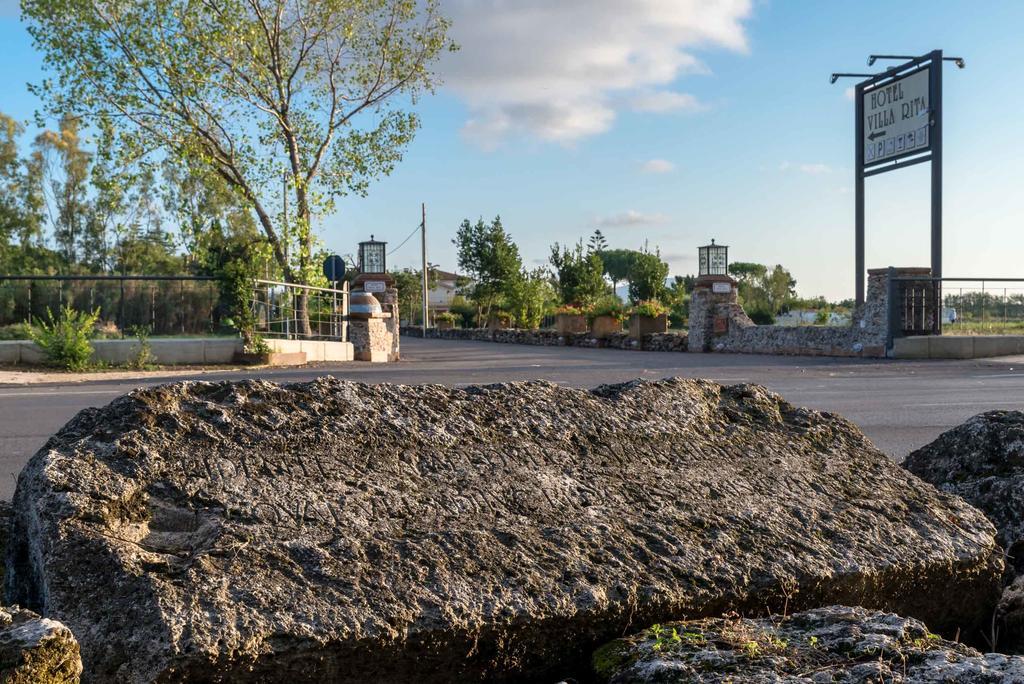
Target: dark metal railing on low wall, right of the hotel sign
(923, 306)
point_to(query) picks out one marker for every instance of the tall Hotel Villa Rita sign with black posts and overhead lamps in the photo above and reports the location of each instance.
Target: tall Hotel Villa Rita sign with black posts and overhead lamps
(900, 124)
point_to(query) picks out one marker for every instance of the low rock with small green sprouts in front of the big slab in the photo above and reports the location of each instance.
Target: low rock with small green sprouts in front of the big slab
(831, 645)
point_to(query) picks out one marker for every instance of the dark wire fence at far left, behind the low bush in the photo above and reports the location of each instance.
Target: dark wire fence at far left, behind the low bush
(167, 305)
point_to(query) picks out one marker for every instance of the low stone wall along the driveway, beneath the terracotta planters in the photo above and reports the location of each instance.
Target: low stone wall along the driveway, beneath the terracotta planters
(655, 343)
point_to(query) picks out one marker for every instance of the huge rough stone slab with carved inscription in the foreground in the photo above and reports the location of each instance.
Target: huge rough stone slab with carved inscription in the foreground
(339, 532)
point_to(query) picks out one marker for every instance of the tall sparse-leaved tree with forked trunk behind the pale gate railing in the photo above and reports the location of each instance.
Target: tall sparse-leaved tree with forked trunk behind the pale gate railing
(276, 97)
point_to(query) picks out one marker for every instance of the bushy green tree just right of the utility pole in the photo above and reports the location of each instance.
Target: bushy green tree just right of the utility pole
(491, 260)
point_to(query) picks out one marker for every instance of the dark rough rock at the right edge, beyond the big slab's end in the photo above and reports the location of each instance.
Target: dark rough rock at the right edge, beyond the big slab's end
(984, 462)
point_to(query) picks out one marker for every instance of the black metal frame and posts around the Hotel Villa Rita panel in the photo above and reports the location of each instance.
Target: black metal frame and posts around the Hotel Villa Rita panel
(933, 154)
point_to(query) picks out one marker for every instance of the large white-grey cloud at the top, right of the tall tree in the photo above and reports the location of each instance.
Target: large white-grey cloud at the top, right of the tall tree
(562, 70)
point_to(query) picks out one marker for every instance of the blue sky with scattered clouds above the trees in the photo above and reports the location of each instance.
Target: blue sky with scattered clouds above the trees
(675, 121)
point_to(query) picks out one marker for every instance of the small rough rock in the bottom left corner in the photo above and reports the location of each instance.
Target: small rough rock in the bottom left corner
(36, 651)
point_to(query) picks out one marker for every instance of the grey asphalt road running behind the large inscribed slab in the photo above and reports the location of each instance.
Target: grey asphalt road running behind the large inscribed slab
(901, 405)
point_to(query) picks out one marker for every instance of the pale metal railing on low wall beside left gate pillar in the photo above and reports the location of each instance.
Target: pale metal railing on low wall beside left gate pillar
(291, 312)
